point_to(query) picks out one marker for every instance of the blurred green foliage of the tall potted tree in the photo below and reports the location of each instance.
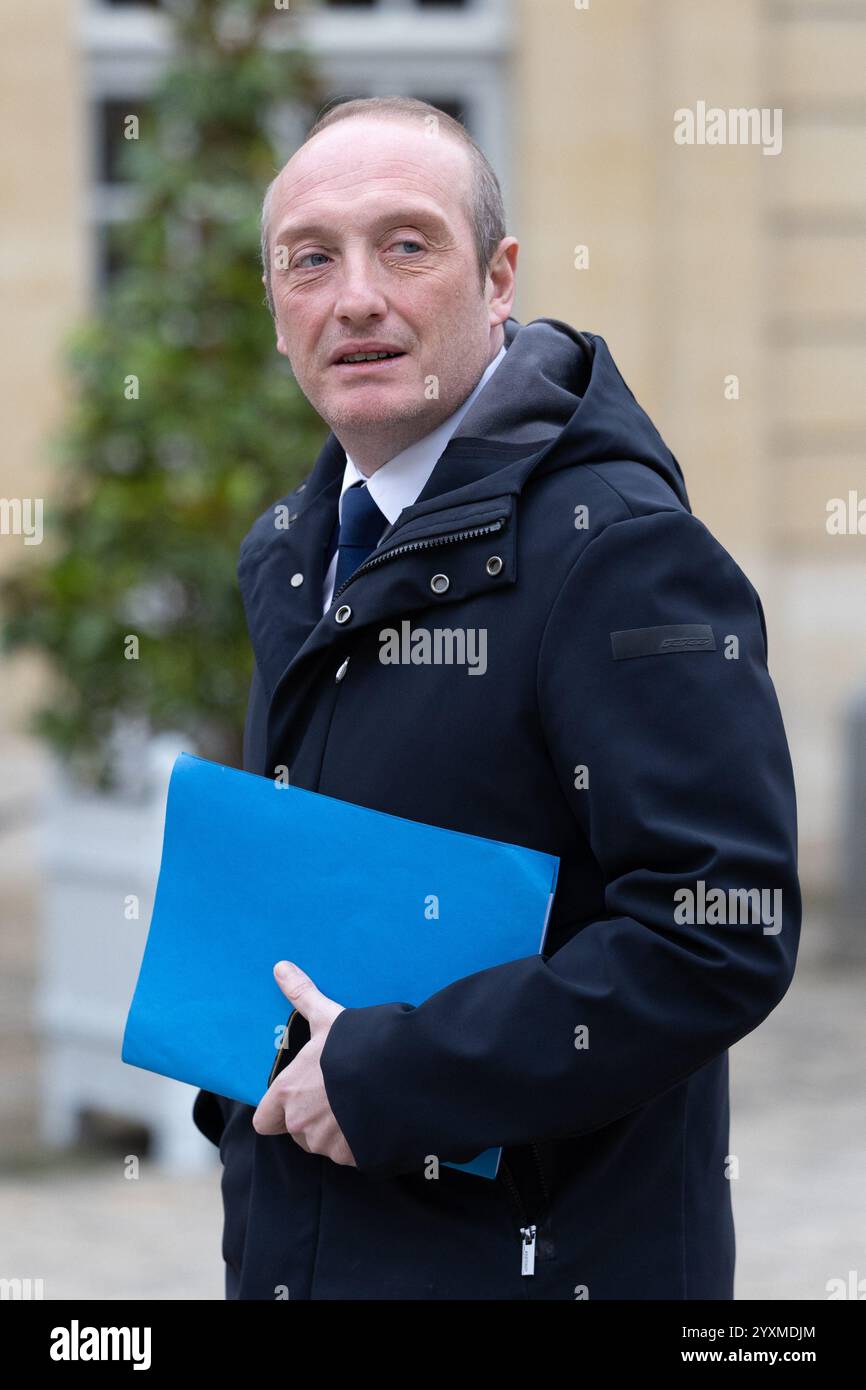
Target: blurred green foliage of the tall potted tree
(184, 422)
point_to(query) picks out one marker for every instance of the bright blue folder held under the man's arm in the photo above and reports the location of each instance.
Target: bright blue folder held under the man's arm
(376, 908)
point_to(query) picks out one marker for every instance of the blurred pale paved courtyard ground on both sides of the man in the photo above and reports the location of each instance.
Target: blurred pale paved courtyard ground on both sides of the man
(799, 1131)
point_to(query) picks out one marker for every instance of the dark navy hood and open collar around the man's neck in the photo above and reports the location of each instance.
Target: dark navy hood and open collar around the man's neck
(555, 402)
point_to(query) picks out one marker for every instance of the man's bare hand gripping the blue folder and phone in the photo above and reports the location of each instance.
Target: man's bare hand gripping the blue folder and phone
(297, 1102)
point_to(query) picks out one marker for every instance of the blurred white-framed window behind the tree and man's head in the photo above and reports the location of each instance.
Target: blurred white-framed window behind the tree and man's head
(452, 54)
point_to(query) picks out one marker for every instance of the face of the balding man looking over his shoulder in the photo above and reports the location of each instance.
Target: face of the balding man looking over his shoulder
(372, 247)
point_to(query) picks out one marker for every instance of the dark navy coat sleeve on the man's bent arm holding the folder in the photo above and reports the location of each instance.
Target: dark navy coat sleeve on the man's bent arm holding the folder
(689, 782)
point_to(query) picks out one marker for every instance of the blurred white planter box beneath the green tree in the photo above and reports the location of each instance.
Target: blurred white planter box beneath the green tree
(97, 854)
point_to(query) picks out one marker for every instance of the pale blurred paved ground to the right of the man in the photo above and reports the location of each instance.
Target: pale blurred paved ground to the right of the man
(799, 1127)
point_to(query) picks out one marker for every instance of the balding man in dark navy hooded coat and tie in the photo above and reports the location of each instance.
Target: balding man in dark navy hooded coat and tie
(500, 482)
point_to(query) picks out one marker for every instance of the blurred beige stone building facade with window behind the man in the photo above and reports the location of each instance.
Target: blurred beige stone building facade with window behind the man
(701, 265)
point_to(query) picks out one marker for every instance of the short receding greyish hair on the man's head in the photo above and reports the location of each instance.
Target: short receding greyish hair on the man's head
(486, 211)
